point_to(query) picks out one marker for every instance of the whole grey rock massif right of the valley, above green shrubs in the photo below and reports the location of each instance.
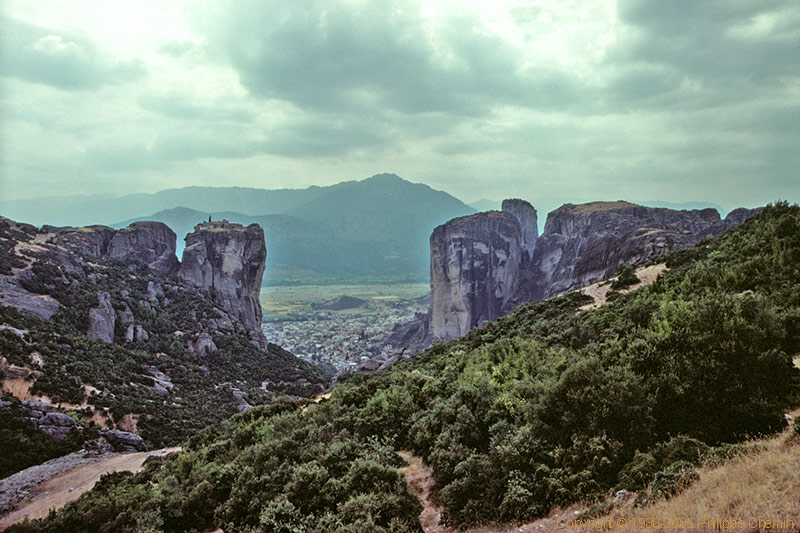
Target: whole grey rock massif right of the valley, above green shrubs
(475, 280)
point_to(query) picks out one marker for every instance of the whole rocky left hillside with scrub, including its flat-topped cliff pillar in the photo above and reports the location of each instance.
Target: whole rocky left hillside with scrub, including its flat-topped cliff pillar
(104, 328)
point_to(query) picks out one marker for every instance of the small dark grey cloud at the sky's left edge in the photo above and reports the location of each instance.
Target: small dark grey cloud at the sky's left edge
(58, 59)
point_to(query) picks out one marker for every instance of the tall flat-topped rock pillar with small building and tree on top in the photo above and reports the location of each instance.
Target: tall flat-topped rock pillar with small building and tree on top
(228, 261)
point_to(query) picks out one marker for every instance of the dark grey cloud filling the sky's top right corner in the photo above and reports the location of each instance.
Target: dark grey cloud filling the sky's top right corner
(705, 46)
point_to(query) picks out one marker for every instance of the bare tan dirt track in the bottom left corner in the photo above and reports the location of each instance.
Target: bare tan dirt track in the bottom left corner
(63, 488)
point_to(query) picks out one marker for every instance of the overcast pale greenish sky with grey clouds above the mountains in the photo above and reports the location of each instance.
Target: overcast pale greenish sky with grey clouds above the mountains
(640, 99)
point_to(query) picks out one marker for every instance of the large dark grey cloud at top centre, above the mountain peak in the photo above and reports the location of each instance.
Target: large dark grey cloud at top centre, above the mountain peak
(332, 57)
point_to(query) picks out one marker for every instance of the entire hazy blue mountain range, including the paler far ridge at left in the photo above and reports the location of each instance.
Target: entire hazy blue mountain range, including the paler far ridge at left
(375, 228)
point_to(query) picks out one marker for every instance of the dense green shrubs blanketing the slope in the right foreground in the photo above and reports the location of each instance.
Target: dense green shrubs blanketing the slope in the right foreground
(547, 406)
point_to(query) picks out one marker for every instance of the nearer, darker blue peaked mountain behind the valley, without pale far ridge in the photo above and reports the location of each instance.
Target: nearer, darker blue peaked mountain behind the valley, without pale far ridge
(378, 226)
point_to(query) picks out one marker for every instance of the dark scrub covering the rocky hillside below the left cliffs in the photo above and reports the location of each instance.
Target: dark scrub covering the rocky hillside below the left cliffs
(120, 375)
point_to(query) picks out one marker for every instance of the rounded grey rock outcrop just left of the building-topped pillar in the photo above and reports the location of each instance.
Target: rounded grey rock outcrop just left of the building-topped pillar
(150, 242)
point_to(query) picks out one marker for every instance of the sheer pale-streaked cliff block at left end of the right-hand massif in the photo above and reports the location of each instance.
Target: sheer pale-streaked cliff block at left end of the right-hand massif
(475, 263)
